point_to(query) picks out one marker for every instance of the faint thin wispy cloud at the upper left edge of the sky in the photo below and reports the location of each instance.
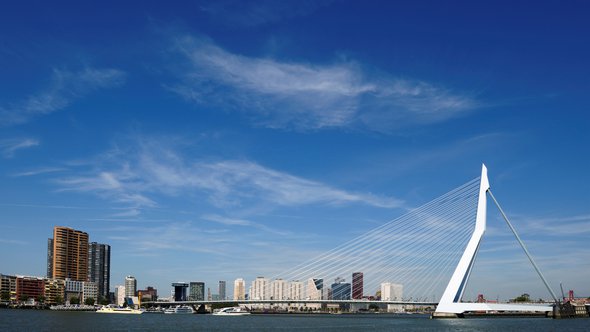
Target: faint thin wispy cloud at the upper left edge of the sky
(65, 87)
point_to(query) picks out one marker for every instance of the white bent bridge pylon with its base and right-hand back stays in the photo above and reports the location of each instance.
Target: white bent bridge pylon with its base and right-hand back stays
(450, 302)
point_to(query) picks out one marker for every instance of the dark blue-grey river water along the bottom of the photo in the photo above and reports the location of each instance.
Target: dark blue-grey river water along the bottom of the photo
(45, 320)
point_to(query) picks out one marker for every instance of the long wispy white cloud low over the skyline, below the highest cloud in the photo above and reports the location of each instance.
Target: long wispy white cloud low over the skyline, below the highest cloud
(135, 178)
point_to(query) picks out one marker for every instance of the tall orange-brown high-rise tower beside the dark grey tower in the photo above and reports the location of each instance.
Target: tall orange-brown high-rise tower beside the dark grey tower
(67, 254)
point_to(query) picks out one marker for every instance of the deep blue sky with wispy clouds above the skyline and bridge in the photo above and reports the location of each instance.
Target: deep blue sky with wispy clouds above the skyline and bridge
(209, 141)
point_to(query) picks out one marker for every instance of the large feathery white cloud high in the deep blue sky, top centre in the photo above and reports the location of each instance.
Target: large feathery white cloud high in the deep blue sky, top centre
(307, 96)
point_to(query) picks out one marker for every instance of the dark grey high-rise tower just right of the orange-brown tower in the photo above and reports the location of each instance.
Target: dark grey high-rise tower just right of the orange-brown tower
(99, 267)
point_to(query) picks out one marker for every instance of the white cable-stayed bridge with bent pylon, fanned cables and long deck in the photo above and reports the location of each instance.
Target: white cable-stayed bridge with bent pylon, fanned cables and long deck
(424, 257)
